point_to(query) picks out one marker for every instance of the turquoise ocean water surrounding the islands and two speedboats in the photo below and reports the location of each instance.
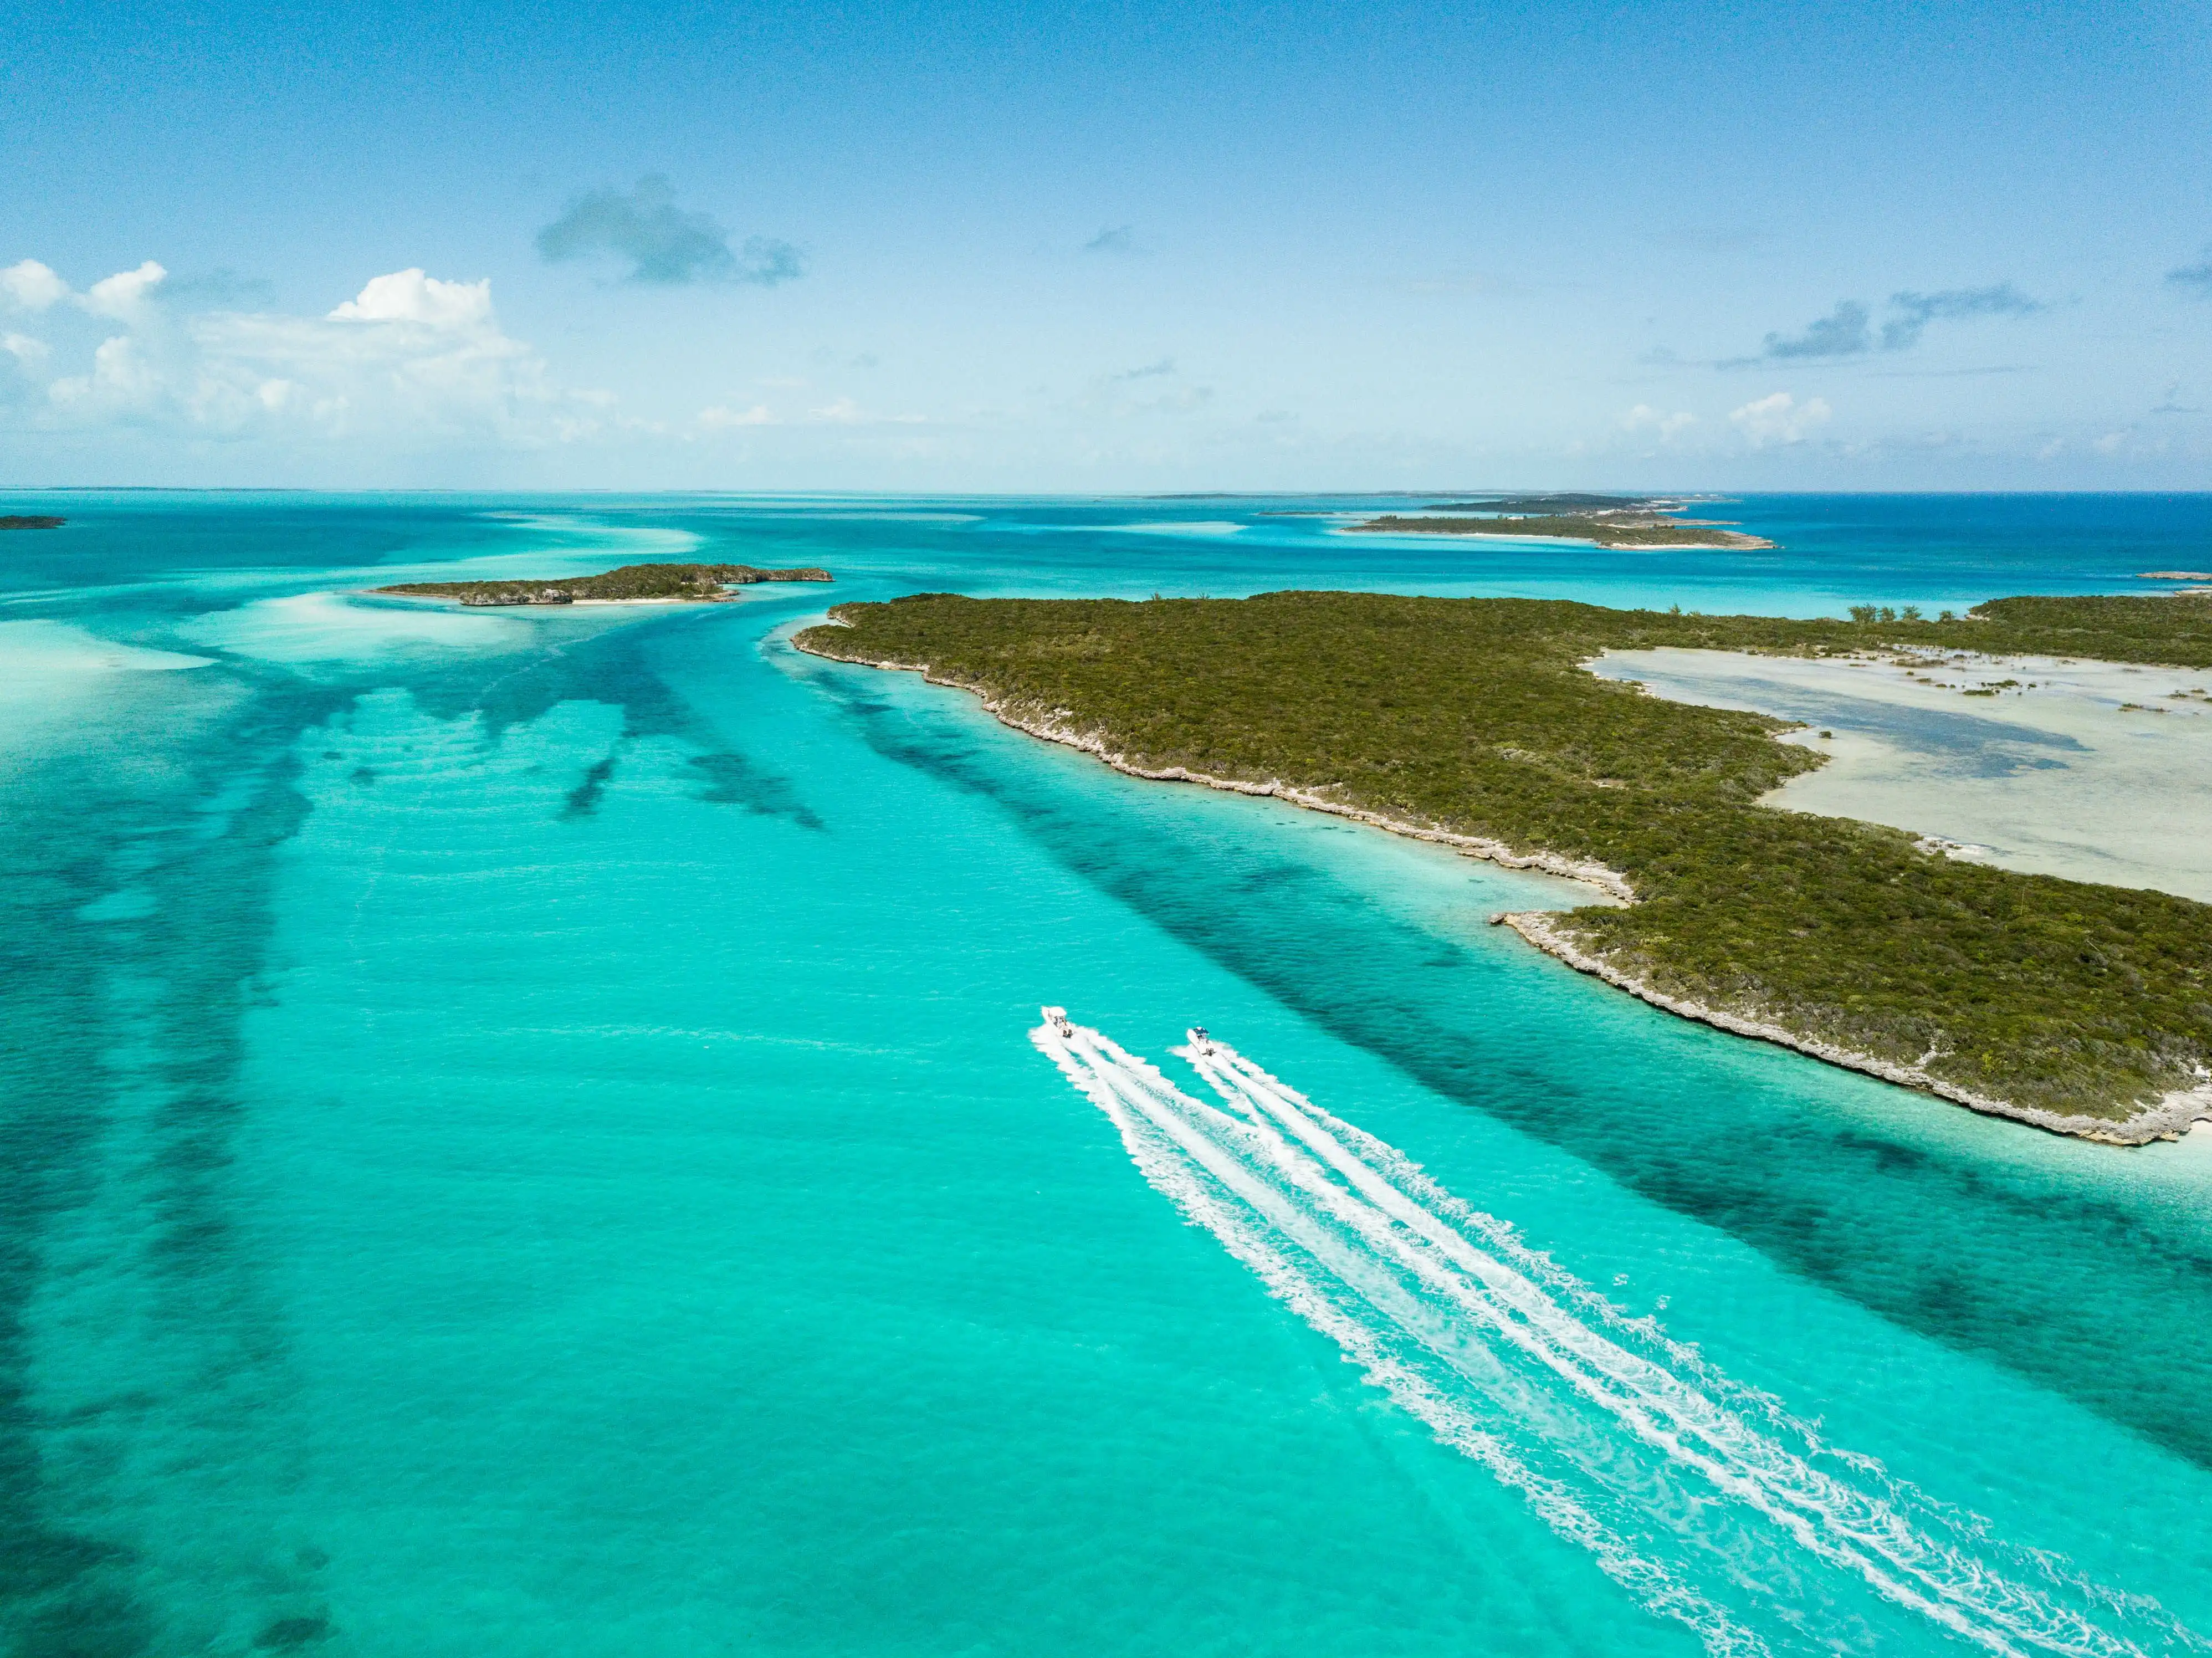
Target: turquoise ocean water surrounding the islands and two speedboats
(523, 1137)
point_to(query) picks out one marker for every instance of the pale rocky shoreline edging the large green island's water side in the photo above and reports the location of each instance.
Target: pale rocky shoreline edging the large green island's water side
(2167, 1119)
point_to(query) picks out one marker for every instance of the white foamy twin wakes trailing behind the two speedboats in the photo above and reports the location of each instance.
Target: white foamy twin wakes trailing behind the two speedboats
(1698, 1495)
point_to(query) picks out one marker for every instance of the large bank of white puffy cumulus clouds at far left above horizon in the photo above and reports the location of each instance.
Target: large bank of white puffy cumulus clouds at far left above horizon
(410, 357)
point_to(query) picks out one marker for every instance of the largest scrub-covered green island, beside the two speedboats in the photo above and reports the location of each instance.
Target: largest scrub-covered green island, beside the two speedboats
(2078, 1008)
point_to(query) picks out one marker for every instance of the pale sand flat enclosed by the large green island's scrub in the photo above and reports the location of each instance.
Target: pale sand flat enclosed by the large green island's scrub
(2058, 780)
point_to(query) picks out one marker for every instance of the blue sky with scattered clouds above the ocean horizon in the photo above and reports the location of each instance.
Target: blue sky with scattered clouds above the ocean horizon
(1023, 247)
